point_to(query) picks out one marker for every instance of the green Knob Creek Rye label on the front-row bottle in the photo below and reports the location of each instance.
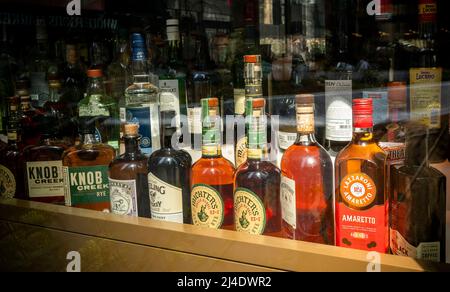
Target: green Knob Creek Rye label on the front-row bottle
(86, 186)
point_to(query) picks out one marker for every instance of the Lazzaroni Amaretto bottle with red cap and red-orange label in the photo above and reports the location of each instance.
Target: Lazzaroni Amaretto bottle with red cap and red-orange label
(361, 204)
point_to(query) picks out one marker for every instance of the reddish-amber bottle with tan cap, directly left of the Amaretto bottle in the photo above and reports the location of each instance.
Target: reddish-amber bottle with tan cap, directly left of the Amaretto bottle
(307, 182)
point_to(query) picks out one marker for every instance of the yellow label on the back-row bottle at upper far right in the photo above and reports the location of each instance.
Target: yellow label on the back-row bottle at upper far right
(425, 96)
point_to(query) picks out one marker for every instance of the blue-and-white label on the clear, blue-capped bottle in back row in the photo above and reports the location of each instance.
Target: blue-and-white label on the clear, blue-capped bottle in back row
(147, 118)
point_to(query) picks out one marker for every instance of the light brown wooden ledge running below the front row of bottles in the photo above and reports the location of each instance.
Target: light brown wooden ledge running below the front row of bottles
(37, 237)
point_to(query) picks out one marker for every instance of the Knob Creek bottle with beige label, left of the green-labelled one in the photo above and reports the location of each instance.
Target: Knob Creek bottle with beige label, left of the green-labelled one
(43, 165)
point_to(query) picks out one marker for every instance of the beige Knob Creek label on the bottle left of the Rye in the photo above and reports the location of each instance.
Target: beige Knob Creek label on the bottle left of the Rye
(45, 179)
